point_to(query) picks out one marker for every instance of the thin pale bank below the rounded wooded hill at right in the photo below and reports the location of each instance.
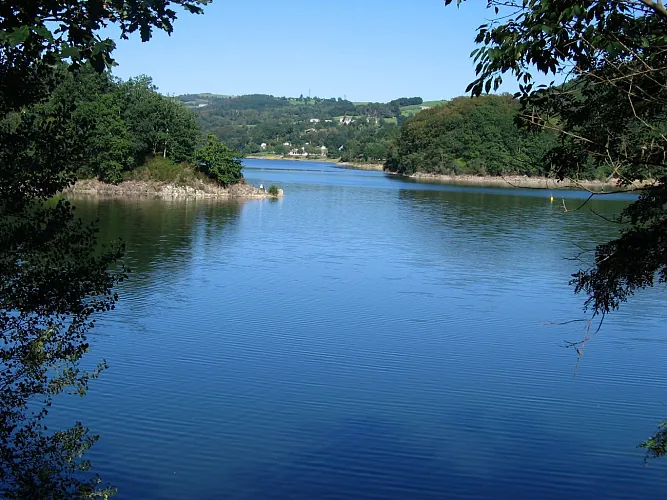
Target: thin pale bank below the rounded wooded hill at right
(522, 181)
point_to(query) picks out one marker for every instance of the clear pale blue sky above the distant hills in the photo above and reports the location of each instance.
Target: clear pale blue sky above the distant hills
(367, 50)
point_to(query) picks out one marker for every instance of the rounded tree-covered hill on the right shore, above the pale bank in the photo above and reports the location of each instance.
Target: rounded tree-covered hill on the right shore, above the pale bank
(469, 136)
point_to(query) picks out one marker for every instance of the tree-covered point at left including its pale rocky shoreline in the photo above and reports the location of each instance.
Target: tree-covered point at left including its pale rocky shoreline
(126, 139)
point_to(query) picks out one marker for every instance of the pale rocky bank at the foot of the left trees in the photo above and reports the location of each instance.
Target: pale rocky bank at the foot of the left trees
(154, 189)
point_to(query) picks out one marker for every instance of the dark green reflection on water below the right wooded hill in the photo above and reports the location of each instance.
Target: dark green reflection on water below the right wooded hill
(478, 219)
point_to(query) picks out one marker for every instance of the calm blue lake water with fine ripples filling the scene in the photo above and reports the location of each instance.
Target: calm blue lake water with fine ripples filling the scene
(367, 337)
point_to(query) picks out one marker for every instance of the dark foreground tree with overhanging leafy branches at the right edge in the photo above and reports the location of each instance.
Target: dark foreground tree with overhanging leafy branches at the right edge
(610, 111)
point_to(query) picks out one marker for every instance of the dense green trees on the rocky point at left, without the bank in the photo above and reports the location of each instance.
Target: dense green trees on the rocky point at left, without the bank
(117, 126)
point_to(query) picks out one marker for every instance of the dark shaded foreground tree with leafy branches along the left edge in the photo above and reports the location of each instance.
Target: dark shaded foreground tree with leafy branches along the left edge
(53, 278)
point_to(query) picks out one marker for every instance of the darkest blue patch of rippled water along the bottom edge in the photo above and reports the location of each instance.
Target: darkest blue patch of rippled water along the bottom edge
(373, 457)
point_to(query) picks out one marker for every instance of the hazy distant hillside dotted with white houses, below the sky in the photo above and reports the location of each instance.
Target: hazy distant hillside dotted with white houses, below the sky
(260, 123)
